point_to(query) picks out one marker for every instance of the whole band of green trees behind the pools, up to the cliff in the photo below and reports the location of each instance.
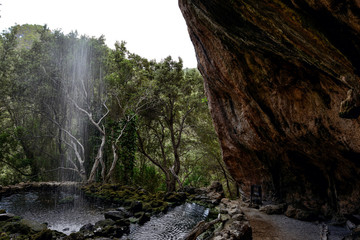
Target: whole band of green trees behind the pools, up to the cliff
(73, 109)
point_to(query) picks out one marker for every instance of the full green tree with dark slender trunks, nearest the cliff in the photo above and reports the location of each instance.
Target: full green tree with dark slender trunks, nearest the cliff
(165, 135)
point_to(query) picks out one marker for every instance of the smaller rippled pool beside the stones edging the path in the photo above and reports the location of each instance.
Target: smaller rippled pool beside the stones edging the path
(173, 225)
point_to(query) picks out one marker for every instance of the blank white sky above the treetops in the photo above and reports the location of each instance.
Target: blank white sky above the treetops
(153, 29)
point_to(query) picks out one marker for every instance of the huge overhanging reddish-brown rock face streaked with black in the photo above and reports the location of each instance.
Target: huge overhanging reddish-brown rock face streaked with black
(282, 81)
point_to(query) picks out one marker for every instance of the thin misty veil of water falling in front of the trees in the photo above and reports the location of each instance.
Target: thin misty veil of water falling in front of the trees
(80, 78)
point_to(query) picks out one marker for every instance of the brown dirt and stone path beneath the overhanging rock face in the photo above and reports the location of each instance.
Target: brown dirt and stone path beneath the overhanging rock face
(272, 223)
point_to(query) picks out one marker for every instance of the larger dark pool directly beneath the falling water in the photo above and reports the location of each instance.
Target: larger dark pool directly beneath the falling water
(63, 211)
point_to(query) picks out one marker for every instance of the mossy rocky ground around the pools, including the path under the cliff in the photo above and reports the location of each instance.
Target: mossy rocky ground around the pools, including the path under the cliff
(230, 220)
